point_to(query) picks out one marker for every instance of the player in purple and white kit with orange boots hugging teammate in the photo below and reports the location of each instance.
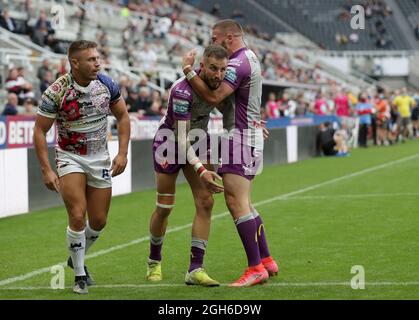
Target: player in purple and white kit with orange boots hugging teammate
(242, 119)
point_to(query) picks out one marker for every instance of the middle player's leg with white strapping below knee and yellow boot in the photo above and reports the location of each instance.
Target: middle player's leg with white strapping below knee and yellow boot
(166, 188)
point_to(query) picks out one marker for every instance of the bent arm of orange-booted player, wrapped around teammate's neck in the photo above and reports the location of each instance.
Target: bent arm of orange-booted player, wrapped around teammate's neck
(213, 97)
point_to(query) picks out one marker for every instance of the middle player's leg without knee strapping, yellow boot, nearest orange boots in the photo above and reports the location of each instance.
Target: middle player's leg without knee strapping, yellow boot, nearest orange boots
(204, 203)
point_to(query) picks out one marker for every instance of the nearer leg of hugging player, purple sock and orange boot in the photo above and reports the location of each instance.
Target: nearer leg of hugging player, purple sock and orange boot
(236, 192)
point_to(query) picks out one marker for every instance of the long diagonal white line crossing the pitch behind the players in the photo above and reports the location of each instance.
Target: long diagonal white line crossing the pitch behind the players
(170, 230)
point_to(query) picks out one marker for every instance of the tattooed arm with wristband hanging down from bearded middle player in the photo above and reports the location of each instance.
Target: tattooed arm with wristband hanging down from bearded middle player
(208, 177)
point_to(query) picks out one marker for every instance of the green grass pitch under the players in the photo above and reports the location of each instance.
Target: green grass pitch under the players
(322, 216)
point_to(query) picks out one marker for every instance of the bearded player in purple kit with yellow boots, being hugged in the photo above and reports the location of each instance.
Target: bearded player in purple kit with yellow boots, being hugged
(186, 111)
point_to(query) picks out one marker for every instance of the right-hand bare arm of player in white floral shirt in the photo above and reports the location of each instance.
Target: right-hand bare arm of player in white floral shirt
(119, 110)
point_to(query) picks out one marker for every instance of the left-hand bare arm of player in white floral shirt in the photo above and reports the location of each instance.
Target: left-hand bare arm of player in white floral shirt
(42, 126)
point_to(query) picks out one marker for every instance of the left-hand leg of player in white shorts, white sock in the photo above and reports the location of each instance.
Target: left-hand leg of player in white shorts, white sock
(73, 192)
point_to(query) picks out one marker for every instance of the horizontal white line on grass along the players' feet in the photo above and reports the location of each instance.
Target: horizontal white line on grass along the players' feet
(277, 284)
